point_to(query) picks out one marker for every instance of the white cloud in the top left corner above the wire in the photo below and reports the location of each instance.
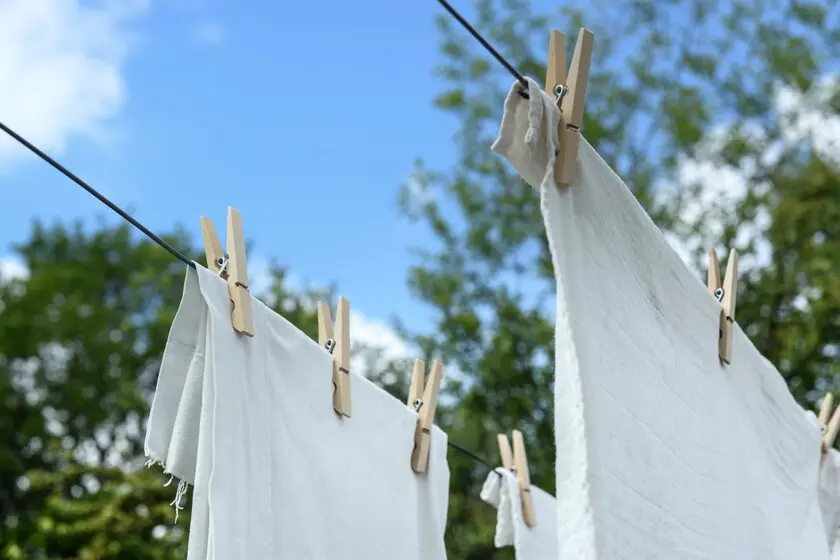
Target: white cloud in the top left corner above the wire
(61, 68)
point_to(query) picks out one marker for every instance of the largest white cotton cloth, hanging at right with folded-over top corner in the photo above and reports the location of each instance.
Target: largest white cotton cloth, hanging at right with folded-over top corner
(663, 452)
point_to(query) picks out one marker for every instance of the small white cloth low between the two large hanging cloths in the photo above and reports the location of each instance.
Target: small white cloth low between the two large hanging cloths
(539, 542)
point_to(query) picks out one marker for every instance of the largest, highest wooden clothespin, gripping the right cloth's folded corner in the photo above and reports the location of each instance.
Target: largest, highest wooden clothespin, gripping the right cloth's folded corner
(570, 92)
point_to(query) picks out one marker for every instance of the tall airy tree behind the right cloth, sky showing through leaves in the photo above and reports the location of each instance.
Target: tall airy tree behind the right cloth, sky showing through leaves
(674, 85)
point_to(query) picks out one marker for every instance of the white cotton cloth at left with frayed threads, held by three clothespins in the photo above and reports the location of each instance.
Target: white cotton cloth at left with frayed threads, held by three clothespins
(277, 474)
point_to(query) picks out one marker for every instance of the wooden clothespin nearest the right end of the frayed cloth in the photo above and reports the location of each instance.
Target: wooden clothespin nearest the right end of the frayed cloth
(422, 398)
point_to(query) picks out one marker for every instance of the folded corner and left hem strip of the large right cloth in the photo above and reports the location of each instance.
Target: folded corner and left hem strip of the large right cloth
(576, 534)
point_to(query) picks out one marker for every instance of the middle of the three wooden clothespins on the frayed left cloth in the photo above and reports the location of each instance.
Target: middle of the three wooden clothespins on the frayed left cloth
(337, 342)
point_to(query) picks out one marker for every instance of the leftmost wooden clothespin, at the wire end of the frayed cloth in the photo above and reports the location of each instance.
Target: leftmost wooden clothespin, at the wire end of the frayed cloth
(231, 266)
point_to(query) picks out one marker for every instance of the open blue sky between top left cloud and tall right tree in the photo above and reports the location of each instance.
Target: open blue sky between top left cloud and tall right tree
(306, 116)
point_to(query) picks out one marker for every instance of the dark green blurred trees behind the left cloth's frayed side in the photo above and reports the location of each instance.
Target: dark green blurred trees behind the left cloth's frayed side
(81, 338)
